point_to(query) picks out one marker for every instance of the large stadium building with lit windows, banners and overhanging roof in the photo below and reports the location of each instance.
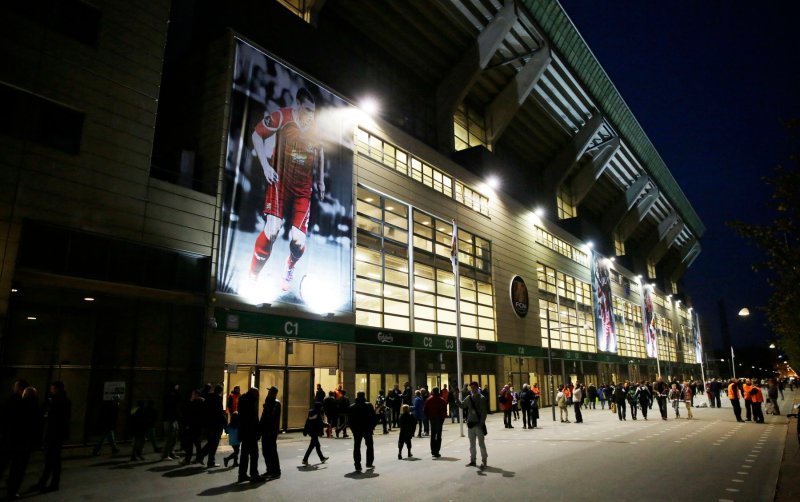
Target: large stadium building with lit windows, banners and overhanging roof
(132, 196)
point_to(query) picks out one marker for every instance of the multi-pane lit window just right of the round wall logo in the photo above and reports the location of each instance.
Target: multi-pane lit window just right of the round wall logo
(576, 328)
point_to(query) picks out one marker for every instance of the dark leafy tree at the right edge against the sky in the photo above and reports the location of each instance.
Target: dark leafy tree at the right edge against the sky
(780, 242)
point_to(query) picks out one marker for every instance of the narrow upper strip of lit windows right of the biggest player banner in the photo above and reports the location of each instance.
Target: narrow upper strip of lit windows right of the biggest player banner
(397, 160)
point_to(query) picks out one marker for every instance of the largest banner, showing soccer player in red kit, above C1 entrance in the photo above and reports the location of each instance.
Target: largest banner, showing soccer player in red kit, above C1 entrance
(286, 235)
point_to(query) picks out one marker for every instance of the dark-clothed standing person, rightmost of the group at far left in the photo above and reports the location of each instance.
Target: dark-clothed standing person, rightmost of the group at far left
(57, 416)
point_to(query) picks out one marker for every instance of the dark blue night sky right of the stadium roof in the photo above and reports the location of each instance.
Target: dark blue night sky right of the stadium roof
(710, 83)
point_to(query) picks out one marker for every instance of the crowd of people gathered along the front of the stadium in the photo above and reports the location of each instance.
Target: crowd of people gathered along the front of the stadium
(194, 425)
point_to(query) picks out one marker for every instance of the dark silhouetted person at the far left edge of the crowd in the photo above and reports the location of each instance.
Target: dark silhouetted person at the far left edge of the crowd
(25, 426)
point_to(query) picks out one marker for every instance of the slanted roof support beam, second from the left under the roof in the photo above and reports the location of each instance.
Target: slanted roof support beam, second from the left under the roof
(505, 105)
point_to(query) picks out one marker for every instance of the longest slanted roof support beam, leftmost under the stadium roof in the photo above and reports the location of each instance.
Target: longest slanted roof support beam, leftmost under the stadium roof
(455, 86)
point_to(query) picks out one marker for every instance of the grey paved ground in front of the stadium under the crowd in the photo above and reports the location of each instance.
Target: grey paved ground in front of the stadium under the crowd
(710, 458)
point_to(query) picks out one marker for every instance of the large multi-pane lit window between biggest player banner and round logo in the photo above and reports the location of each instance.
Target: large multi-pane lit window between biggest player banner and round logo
(383, 280)
